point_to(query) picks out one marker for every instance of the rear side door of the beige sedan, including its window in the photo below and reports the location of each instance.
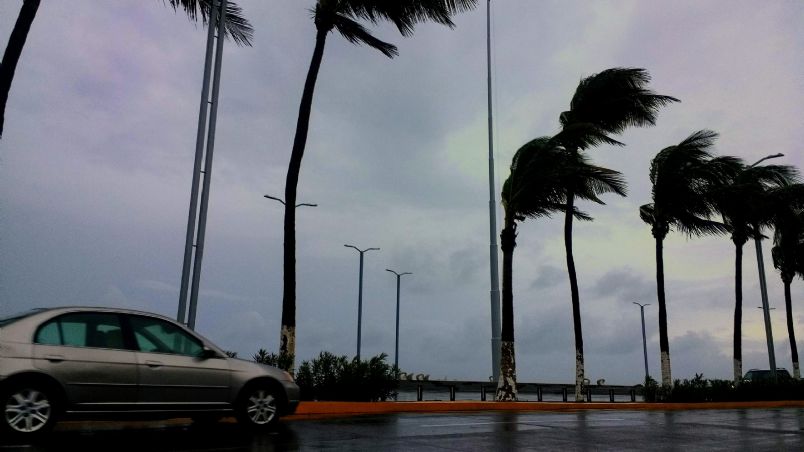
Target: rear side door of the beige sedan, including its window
(87, 353)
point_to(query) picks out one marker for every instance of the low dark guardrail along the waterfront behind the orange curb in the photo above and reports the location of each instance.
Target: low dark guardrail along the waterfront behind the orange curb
(486, 390)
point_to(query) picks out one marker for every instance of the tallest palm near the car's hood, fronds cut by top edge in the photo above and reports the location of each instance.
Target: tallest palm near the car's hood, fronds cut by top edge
(342, 16)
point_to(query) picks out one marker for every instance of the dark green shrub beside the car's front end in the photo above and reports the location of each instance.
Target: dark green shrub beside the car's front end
(330, 377)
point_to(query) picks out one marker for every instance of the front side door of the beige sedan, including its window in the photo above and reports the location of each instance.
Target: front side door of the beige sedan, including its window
(173, 371)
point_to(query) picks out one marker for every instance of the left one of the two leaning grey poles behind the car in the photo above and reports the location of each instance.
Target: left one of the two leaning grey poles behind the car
(199, 155)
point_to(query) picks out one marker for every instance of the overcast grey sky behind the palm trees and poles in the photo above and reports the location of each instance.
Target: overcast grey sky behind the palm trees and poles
(96, 165)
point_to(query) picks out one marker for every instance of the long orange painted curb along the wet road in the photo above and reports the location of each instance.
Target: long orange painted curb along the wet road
(316, 409)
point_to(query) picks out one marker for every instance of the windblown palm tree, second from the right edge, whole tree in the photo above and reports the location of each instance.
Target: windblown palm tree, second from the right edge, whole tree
(744, 205)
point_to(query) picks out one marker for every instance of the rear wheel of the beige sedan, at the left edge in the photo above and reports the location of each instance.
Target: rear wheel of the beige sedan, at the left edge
(29, 410)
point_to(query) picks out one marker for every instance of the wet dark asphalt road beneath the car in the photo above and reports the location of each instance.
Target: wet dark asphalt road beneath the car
(732, 430)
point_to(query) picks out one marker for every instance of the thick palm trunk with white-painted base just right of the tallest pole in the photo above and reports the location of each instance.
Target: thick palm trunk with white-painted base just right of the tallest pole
(506, 386)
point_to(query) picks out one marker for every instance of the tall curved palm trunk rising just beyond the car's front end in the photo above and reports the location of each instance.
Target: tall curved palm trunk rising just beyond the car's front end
(287, 341)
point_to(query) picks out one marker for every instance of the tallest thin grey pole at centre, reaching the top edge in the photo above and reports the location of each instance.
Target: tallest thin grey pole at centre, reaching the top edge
(496, 326)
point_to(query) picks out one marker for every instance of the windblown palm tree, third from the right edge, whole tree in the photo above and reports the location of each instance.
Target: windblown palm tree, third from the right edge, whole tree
(683, 178)
